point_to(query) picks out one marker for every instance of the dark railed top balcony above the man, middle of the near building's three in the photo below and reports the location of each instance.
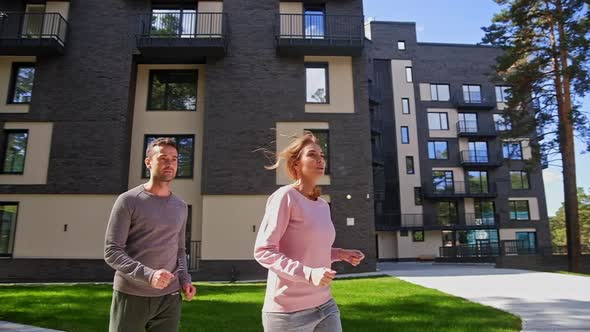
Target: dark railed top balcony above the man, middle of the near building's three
(176, 35)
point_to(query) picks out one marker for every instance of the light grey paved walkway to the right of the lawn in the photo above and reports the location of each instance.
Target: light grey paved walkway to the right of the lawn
(544, 301)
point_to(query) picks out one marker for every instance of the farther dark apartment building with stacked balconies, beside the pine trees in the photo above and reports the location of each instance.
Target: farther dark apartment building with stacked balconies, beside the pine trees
(449, 183)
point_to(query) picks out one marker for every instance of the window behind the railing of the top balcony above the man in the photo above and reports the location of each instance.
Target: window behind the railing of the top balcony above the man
(173, 22)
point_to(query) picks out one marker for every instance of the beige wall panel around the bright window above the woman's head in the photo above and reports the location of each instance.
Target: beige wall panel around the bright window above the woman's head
(340, 86)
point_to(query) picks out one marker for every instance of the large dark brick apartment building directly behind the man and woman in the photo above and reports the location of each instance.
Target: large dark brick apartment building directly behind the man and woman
(87, 84)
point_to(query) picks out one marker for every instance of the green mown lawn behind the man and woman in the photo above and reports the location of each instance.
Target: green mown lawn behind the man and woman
(368, 304)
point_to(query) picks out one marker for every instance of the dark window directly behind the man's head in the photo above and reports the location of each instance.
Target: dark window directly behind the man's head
(186, 151)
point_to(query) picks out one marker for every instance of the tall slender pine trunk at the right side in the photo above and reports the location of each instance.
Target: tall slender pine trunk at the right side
(566, 133)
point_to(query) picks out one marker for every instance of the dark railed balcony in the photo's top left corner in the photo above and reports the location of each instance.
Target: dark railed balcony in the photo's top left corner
(32, 34)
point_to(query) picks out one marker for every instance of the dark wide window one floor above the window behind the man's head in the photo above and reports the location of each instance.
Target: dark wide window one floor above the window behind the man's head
(173, 90)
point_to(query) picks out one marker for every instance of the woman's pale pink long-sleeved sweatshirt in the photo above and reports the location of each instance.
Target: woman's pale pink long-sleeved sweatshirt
(295, 236)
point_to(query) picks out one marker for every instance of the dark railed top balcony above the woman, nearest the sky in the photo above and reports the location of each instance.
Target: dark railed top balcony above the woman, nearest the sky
(308, 34)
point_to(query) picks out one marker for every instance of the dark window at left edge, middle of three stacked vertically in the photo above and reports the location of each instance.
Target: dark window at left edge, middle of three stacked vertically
(15, 151)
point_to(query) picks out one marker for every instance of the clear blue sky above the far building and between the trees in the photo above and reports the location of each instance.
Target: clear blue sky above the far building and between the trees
(460, 21)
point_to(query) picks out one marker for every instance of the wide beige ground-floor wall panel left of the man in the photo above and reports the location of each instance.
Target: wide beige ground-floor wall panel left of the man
(41, 219)
